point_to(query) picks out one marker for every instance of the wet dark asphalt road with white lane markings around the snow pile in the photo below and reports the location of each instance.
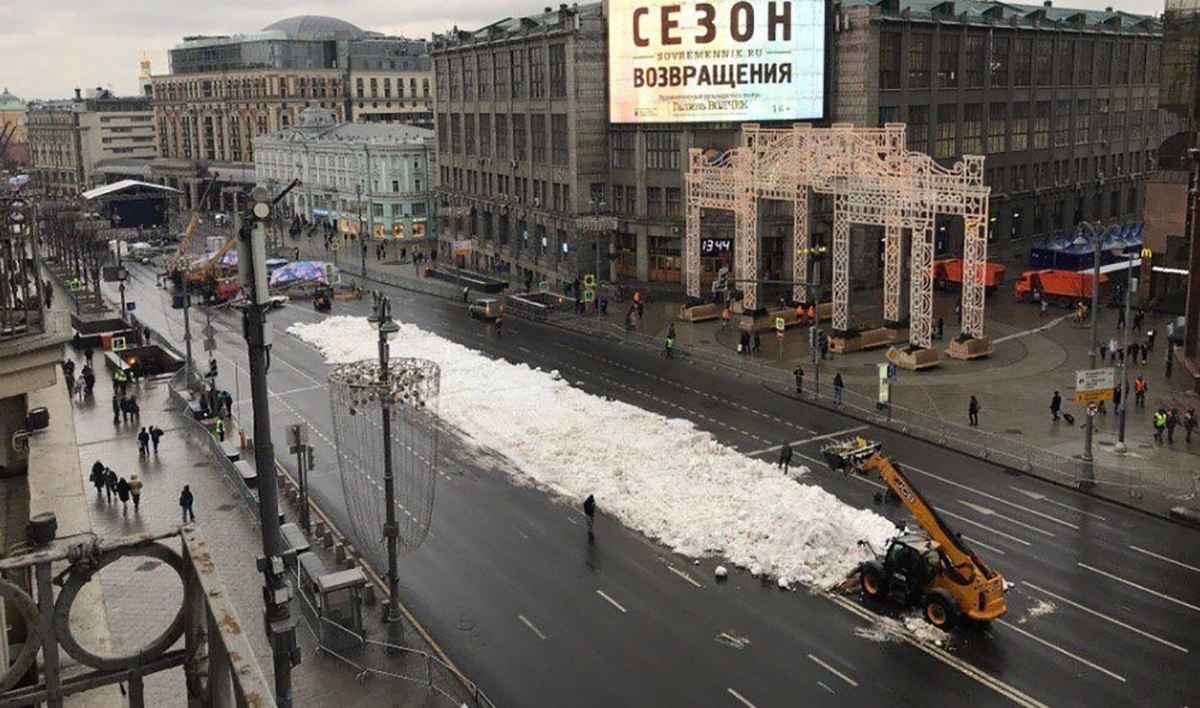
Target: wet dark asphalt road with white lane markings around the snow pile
(537, 616)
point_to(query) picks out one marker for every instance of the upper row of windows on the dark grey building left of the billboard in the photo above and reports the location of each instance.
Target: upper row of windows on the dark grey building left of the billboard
(502, 74)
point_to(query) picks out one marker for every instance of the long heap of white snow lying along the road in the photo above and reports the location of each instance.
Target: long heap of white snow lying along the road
(659, 476)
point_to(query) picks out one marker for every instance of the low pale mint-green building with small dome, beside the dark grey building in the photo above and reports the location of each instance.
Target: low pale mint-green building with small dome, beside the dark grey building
(376, 179)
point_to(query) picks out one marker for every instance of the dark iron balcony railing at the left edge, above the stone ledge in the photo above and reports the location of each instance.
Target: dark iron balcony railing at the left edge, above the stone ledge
(21, 286)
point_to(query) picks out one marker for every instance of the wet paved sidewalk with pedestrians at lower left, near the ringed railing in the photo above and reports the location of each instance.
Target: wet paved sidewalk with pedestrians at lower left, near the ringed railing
(141, 598)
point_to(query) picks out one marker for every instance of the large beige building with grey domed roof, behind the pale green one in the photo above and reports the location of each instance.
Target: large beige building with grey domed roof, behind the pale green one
(224, 92)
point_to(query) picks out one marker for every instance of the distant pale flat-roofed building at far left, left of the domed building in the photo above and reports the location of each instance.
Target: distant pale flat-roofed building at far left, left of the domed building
(68, 140)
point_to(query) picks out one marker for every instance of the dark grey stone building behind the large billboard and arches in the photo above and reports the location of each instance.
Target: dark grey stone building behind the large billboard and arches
(1064, 104)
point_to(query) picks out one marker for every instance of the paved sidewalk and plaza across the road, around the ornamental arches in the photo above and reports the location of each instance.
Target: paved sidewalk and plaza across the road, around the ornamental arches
(1034, 357)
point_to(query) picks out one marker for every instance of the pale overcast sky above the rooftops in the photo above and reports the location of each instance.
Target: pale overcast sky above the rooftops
(59, 45)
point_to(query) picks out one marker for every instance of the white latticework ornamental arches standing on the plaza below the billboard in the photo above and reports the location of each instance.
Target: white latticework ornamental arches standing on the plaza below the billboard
(874, 181)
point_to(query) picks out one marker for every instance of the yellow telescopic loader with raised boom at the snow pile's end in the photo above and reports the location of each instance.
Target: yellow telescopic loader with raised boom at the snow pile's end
(934, 571)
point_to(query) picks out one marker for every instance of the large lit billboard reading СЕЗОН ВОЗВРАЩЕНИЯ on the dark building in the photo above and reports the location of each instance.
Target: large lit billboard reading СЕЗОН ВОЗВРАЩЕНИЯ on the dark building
(716, 62)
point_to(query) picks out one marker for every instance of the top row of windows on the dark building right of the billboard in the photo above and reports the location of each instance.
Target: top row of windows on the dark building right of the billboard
(955, 59)
